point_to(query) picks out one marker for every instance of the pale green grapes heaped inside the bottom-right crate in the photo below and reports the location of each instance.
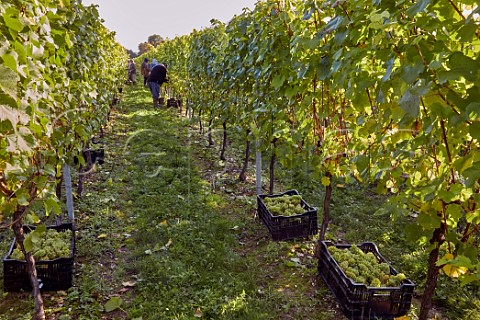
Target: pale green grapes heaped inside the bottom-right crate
(365, 268)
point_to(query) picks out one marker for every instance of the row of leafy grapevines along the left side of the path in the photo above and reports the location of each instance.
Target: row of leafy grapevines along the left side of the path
(60, 69)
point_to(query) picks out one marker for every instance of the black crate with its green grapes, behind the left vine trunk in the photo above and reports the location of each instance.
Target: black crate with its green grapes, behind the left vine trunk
(53, 251)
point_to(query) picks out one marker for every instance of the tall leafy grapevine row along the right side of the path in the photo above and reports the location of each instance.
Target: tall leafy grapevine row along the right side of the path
(375, 92)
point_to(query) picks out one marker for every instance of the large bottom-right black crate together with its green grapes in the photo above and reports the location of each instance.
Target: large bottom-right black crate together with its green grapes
(364, 283)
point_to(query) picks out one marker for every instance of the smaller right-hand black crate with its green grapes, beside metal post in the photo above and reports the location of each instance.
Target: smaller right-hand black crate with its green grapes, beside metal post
(287, 215)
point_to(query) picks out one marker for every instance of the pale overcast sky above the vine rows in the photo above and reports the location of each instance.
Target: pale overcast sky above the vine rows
(134, 21)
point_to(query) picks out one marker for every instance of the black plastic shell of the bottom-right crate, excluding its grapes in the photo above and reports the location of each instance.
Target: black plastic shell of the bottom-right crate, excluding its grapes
(359, 301)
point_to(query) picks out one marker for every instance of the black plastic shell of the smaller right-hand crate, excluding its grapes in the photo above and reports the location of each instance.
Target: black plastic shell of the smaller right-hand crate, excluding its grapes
(288, 227)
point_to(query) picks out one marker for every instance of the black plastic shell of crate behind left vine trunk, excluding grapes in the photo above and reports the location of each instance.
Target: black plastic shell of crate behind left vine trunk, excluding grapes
(52, 275)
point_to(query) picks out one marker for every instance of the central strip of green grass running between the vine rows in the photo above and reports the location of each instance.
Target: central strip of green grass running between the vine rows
(184, 248)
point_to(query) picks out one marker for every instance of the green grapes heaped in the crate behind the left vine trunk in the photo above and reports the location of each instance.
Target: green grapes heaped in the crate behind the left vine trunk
(51, 246)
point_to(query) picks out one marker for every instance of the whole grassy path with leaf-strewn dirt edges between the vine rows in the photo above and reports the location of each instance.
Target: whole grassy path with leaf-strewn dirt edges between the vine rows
(164, 231)
